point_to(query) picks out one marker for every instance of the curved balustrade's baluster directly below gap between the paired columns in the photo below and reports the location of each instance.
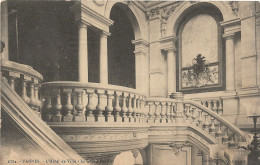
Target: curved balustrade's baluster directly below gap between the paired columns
(90, 107)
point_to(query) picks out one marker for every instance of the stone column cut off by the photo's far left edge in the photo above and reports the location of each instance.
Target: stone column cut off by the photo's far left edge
(4, 29)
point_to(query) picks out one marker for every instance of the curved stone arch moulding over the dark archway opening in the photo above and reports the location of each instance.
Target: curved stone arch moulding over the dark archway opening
(131, 13)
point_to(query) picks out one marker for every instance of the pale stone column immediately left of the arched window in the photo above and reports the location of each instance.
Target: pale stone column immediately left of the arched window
(171, 62)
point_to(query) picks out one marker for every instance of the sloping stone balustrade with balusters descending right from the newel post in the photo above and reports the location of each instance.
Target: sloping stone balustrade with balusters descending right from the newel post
(212, 123)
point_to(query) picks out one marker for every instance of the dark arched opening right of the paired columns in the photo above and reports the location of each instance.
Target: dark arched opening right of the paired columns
(121, 57)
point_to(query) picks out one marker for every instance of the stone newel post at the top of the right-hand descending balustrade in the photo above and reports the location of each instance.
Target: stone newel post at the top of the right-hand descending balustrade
(179, 112)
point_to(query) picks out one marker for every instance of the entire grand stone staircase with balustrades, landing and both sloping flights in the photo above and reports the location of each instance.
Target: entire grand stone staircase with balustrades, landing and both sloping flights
(97, 122)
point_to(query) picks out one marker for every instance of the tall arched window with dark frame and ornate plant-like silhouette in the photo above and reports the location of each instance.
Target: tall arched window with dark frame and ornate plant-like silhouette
(200, 54)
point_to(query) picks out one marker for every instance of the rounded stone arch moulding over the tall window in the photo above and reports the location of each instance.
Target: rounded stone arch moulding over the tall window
(180, 13)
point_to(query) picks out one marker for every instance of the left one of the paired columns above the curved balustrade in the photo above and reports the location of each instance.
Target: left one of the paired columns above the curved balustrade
(83, 53)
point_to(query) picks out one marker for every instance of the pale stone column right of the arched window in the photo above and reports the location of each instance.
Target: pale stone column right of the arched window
(230, 62)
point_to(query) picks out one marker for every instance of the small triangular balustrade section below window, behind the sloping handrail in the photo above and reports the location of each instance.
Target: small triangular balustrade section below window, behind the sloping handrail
(215, 104)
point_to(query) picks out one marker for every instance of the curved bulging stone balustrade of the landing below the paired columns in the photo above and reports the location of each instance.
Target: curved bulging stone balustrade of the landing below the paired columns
(91, 102)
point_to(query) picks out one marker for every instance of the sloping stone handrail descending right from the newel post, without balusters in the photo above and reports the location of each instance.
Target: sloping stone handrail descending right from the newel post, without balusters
(218, 117)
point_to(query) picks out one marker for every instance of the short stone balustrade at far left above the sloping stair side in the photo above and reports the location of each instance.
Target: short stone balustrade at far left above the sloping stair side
(25, 81)
